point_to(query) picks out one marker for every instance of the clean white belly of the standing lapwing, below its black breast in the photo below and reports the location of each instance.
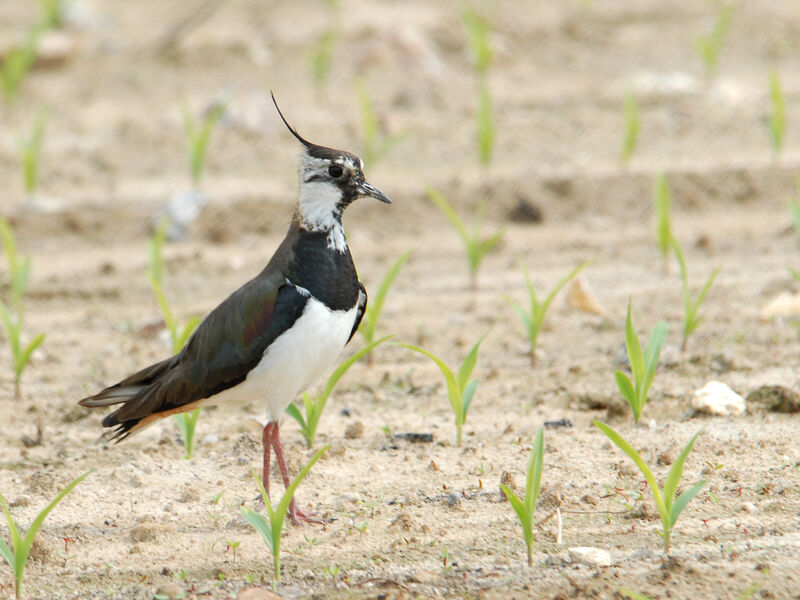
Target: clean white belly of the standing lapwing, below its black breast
(294, 360)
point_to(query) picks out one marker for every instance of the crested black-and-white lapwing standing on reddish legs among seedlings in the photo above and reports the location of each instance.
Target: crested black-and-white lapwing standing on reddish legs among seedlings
(275, 335)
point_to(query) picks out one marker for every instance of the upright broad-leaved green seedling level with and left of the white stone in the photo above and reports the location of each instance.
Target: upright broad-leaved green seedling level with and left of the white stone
(643, 366)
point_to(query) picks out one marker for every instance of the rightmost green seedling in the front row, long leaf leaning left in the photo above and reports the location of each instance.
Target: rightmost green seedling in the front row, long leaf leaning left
(669, 507)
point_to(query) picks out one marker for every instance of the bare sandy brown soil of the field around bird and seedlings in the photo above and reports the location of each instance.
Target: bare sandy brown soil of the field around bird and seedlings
(413, 520)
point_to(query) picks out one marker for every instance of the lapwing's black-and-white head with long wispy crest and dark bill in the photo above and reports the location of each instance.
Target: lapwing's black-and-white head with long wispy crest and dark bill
(330, 180)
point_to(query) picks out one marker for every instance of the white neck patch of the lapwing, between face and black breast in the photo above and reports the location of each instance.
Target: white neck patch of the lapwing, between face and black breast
(318, 211)
